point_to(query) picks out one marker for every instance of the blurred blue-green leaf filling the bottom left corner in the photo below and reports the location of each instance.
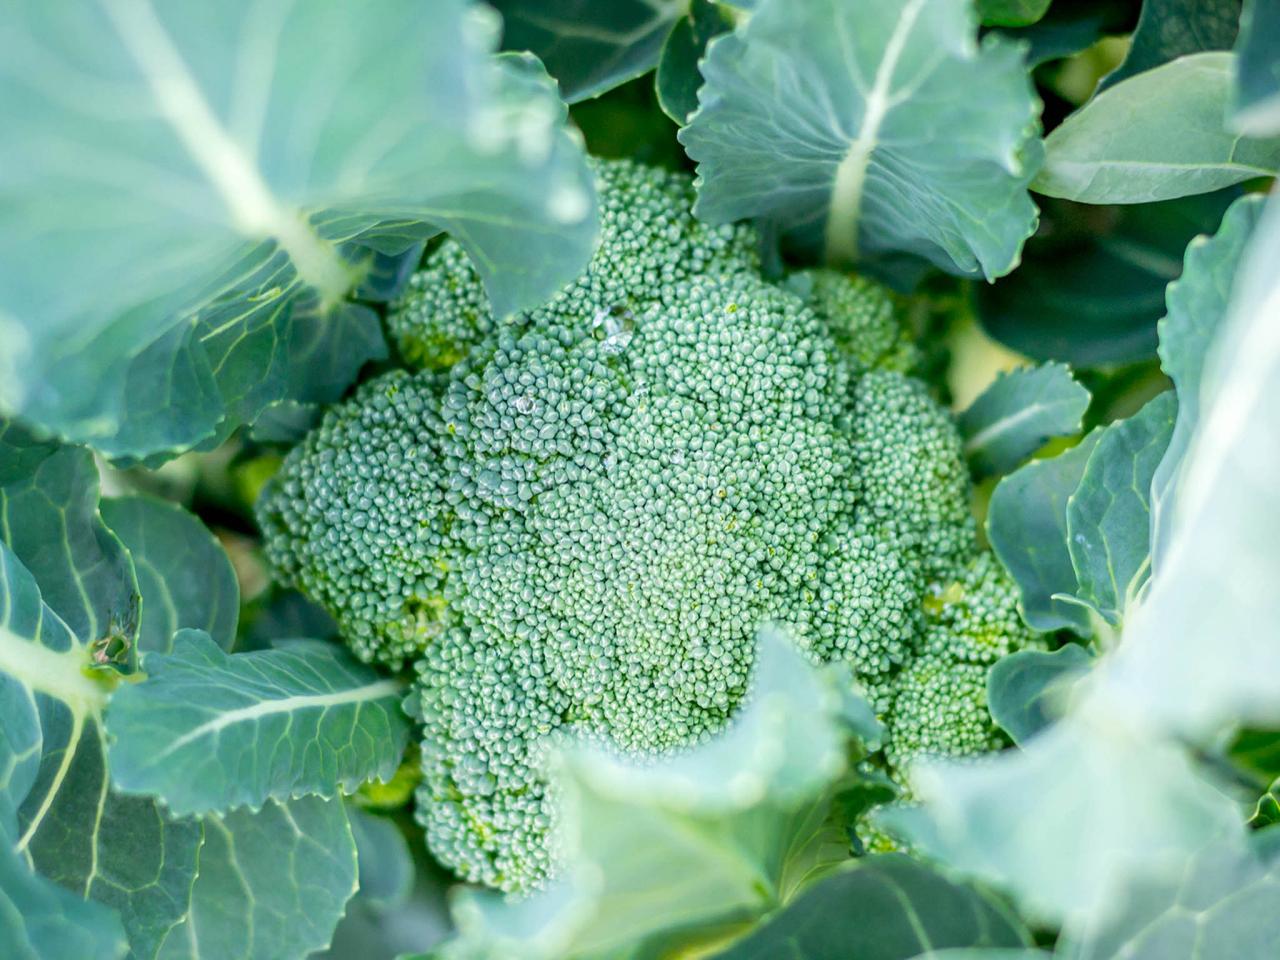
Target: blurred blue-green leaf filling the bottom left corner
(40, 921)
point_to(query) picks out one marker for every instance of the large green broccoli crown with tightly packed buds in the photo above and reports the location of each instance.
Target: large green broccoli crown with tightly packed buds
(574, 520)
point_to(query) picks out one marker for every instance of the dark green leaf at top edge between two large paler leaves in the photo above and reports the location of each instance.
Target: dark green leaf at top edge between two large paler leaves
(591, 47)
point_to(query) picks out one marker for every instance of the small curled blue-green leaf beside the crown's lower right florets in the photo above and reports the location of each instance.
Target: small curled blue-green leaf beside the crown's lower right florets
(1026, 689)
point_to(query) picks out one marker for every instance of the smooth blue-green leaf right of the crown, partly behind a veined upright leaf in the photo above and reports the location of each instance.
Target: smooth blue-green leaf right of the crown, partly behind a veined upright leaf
(1027, 528)
